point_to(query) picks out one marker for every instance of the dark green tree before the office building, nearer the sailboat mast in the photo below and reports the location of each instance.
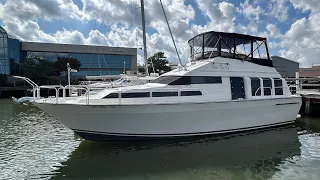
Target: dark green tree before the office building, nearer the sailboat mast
(61, 64)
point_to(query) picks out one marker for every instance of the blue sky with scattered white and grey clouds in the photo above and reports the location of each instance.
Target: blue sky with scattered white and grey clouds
(292, 27)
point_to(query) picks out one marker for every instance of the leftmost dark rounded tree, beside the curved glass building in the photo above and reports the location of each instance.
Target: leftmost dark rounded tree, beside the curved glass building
(37, 68)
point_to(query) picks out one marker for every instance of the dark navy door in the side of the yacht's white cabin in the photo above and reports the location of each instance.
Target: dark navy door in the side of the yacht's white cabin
(237, 88)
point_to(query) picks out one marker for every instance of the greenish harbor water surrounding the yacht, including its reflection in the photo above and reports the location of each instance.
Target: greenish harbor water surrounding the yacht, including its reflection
(33, 145)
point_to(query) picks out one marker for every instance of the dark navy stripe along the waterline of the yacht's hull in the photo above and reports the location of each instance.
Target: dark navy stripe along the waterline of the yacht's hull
(93, 135)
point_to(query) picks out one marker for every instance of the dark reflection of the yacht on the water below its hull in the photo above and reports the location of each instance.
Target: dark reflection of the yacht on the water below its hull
(251, 155)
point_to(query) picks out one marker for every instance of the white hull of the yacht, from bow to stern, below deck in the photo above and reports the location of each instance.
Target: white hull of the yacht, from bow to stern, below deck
(124, 122)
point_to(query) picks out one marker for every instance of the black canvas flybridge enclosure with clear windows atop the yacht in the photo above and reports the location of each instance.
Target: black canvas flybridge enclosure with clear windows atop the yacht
(230, 45)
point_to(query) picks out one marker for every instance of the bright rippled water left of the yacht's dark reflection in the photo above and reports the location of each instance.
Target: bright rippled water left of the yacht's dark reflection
(33, 144)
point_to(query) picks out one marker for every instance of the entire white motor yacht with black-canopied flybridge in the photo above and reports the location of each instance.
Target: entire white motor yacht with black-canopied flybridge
(229, 85)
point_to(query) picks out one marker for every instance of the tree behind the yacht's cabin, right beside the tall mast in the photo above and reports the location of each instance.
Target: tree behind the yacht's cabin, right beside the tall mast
(160, 64)
